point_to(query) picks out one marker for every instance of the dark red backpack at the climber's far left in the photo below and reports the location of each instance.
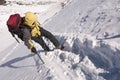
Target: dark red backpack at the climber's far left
(14, 21)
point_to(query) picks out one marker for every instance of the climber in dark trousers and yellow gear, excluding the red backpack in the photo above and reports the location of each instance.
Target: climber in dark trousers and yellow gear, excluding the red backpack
(30, 30)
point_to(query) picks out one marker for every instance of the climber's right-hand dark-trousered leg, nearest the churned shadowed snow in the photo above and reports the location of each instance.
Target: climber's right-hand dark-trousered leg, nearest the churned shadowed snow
(50, 36)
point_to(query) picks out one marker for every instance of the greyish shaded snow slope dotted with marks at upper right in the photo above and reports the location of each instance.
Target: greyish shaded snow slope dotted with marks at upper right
(97, 18)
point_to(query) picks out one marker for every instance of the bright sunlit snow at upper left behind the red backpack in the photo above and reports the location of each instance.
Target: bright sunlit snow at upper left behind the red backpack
(44, 12)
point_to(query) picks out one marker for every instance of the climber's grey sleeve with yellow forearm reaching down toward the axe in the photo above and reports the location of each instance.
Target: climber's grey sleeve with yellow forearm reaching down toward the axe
(27, 38)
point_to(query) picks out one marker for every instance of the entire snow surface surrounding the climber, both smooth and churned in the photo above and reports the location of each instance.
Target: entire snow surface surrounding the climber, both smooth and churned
(90, 28)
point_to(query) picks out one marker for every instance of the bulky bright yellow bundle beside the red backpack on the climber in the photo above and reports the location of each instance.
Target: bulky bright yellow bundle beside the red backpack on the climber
(31, 21)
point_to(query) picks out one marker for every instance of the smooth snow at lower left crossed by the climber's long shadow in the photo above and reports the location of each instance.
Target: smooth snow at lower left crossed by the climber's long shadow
(21, 65)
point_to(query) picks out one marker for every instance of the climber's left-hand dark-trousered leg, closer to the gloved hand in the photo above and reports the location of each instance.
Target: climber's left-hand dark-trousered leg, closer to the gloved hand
(41, 42)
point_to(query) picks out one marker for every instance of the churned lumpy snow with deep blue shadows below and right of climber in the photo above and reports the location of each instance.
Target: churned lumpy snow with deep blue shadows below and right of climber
(84, 61)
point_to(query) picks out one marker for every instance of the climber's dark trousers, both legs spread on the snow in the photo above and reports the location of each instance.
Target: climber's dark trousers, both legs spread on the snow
(48, 35)
